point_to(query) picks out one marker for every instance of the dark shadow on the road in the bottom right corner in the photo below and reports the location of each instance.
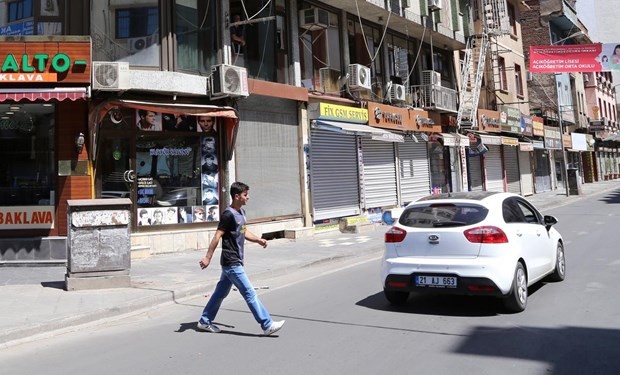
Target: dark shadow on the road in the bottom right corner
(568, 350)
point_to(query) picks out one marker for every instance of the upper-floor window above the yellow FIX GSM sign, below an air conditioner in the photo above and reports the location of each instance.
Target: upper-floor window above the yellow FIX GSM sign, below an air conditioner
(319, 46)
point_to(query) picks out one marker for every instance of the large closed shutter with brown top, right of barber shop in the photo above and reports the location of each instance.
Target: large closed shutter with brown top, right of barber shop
(267, 155)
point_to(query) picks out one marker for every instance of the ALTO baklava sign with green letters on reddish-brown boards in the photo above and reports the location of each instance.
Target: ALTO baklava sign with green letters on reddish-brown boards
(25, 60)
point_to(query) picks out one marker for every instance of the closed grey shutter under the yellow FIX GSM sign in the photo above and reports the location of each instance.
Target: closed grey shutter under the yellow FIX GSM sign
(333, 175)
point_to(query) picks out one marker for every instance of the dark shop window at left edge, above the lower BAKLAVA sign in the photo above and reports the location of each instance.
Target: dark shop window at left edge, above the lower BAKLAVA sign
(27, 155)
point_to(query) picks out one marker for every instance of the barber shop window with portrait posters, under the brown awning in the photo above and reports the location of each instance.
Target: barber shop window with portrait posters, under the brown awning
(173, 174)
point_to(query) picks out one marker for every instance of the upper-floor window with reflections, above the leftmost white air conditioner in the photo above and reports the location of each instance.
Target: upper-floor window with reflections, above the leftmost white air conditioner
(122, 31)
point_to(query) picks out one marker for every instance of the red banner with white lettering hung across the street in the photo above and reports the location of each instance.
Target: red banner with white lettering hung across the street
(566, 58)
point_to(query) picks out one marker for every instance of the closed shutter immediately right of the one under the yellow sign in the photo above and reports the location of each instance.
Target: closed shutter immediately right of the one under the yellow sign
(379, 173)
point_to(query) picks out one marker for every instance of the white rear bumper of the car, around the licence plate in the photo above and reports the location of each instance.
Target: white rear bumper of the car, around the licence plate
(479, 276)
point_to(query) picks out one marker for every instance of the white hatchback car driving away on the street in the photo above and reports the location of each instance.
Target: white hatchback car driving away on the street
(472, 243)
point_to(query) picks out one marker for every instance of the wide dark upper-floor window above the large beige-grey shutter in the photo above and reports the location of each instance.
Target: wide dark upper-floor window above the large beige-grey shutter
(259, 39)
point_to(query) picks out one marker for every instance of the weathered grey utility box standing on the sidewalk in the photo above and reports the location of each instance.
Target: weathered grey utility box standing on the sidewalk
(98, 244)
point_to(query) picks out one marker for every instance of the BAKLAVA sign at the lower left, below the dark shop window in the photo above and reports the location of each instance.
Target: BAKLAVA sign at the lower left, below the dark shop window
(26, 217)
